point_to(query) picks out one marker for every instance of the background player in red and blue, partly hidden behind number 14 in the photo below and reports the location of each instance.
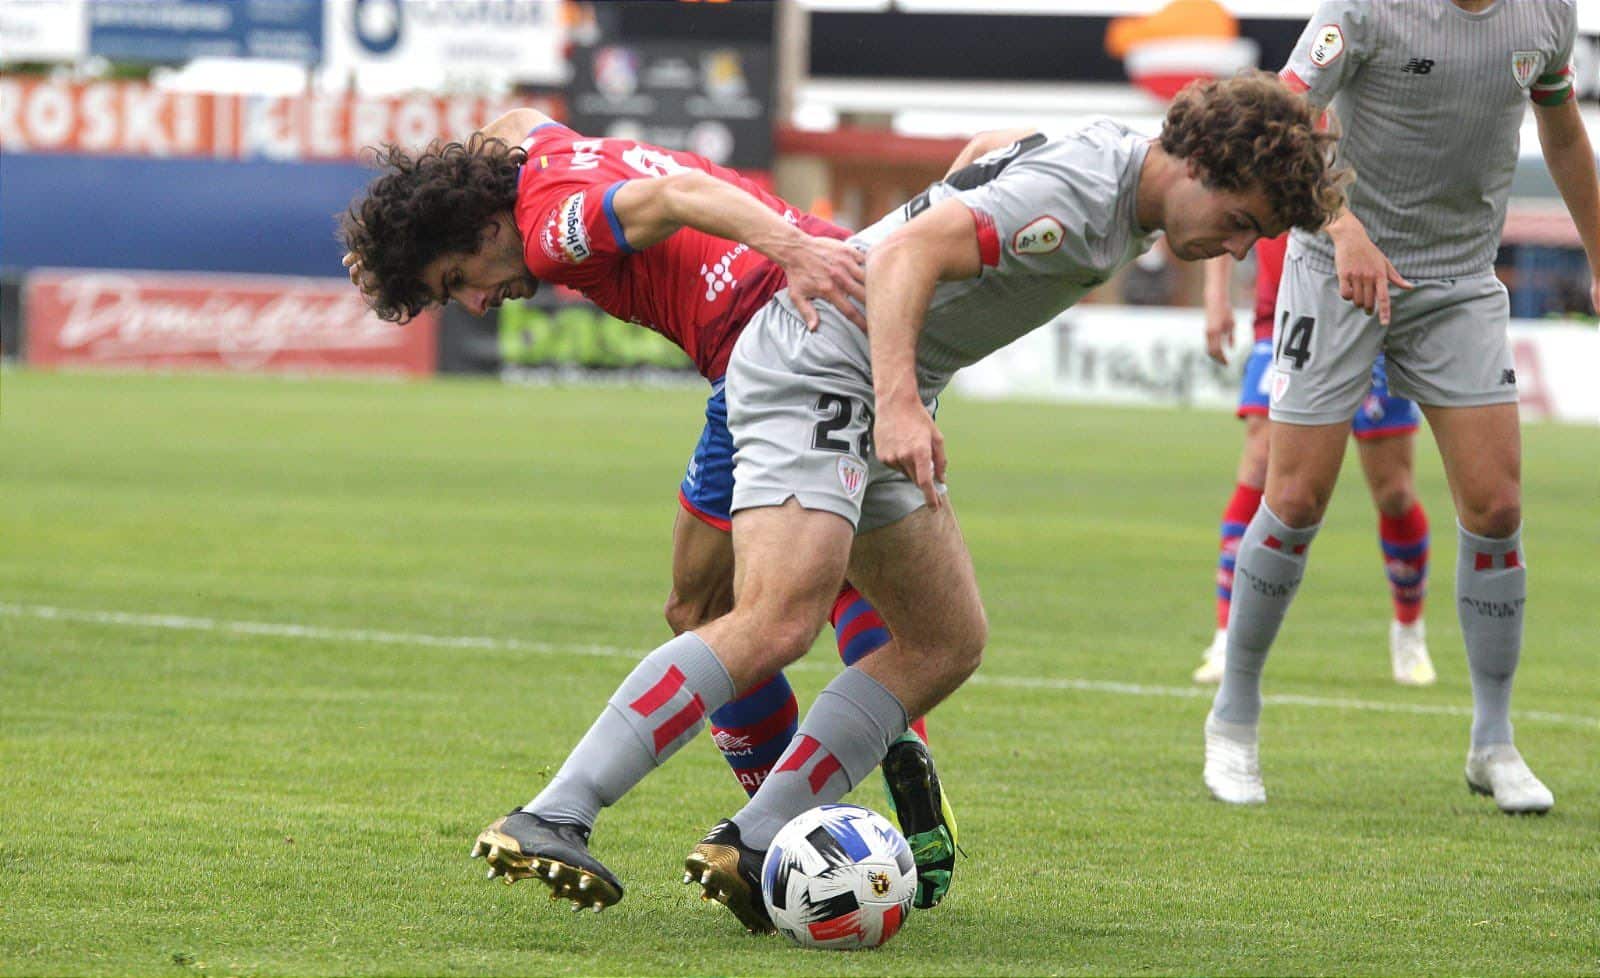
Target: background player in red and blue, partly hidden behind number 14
(1385, 431)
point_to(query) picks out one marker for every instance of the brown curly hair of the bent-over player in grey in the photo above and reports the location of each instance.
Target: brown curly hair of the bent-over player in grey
(1252, 132)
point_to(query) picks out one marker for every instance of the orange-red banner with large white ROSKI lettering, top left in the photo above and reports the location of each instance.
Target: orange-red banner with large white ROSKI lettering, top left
(135, 119)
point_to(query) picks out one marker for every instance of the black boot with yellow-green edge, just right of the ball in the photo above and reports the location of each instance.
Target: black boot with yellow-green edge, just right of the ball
(924, 814)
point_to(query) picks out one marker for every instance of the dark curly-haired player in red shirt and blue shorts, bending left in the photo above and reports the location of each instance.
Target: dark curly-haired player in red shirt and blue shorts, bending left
(628, 225)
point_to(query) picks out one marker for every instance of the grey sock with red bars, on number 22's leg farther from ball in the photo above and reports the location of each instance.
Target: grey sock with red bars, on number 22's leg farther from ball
(658, 708)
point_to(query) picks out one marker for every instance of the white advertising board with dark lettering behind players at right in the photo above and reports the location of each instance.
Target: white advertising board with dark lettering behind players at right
(1156, 358)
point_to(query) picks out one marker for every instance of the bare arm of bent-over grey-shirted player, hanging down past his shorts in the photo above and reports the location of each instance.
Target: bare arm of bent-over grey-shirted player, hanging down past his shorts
(938, 246)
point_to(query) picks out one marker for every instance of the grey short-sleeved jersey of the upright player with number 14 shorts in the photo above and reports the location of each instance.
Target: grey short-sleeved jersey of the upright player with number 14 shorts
(1431, 102)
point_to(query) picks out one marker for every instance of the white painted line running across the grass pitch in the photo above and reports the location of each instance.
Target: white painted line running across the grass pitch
(1017, 683)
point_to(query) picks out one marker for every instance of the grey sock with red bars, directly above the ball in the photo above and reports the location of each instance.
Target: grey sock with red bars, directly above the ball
(842, 739)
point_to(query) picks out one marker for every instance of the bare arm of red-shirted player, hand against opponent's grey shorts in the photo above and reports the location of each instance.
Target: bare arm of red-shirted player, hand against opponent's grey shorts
(817, 268)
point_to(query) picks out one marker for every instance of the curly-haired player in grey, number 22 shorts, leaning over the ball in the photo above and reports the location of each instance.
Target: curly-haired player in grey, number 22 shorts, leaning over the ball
(841, 467)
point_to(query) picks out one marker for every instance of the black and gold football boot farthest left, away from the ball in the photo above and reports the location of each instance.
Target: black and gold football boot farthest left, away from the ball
(524, 846)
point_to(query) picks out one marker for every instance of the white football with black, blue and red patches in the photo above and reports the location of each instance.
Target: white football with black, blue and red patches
(839, 878)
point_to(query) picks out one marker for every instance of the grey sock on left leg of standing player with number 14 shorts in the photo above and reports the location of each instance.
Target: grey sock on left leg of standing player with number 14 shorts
(1266, 575)
